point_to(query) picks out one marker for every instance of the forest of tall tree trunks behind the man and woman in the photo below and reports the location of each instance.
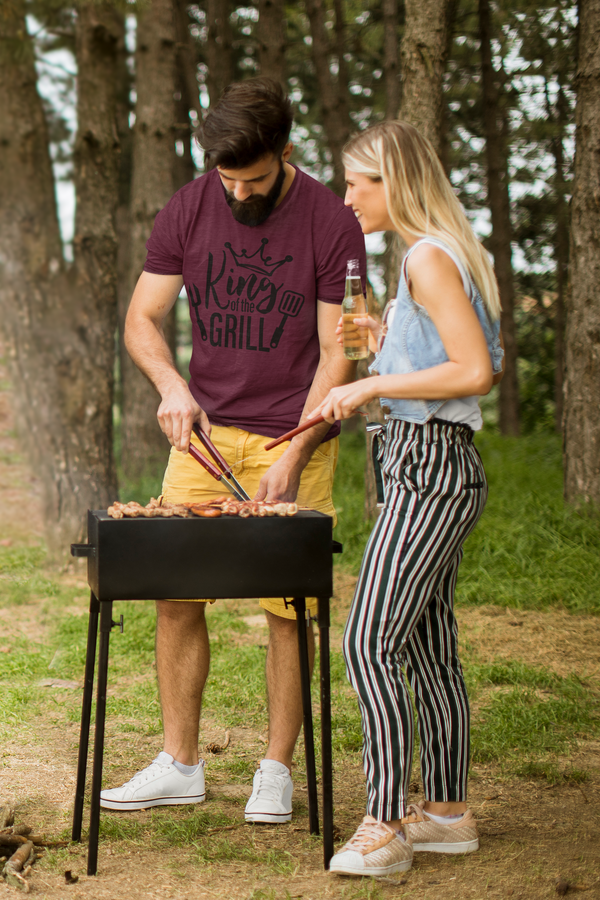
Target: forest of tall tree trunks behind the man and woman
(100, 101)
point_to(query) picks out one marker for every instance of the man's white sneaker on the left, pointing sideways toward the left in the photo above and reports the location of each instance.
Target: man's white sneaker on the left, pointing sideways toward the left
(160, 784)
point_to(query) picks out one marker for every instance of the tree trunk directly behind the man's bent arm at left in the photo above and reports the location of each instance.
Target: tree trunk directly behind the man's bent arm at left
(143, 445)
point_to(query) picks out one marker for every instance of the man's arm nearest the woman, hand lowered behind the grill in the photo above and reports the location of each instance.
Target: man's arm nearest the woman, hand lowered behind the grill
(282, 480)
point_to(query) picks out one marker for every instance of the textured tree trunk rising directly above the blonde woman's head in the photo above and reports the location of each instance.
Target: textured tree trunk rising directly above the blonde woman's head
(423, 54)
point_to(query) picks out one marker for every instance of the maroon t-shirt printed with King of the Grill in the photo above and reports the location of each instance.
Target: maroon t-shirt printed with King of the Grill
(253, 295)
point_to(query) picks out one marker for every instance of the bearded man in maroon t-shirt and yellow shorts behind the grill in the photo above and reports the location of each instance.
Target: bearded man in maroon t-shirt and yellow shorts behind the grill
(261, 249)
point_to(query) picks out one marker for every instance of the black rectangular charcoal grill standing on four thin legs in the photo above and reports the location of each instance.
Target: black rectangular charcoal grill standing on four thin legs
(175, 558)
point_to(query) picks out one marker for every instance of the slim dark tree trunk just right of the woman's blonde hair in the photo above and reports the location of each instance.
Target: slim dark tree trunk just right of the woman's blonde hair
(496, 146)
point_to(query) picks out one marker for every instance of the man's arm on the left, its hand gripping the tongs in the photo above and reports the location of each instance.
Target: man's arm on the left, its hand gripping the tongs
(152, 300)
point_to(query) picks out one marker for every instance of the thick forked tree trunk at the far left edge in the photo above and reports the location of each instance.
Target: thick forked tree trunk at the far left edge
(59, 323)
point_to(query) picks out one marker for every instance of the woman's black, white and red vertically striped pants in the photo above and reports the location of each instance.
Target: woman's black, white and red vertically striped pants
(402, 615)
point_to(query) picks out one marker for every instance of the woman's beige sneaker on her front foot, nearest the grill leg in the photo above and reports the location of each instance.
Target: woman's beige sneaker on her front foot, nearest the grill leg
(375, 849)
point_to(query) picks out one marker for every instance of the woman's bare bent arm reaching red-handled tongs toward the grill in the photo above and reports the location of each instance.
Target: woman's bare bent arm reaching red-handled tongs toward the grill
(435, 284)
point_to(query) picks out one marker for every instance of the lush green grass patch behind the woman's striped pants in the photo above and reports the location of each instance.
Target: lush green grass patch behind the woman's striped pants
(529, 550)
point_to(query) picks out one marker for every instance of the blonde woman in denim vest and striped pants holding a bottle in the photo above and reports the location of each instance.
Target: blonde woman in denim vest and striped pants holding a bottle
(438, 352)
